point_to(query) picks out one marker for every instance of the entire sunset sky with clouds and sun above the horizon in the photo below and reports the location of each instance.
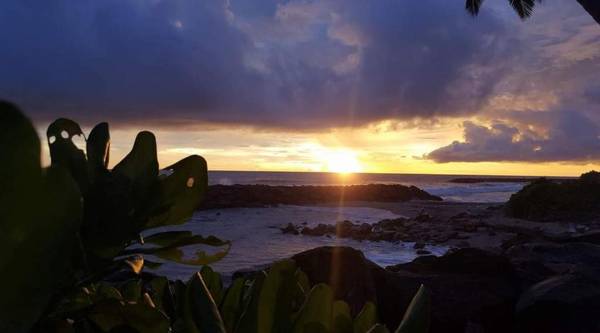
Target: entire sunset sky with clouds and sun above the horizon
(387, 86)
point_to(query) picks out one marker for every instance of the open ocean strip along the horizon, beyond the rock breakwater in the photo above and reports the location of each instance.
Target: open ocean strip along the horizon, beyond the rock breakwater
(435, 184)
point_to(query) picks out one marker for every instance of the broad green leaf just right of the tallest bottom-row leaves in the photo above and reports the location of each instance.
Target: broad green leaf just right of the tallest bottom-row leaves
(316, 311)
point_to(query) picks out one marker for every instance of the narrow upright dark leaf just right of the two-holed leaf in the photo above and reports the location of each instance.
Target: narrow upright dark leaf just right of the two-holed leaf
(98, 150)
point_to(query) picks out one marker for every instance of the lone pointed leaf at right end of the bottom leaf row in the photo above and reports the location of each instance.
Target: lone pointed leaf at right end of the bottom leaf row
(417, 317)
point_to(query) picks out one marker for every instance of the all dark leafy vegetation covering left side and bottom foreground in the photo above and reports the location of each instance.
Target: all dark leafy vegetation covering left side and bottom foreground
(68, 264)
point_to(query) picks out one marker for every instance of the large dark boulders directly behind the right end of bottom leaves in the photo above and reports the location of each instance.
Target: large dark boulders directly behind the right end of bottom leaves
(469, 287)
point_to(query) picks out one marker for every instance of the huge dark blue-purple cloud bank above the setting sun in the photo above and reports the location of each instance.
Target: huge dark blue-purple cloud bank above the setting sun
(288, 64)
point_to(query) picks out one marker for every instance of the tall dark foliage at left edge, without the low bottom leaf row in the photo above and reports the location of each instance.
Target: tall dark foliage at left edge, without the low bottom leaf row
(66, 223)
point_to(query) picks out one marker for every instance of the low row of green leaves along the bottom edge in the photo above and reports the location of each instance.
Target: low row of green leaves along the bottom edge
(276, 300)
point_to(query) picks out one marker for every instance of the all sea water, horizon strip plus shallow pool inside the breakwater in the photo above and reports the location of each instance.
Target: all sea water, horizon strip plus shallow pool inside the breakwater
(257, 240)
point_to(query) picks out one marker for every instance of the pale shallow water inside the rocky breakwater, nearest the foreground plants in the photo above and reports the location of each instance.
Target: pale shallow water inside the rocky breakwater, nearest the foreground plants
(257, 241)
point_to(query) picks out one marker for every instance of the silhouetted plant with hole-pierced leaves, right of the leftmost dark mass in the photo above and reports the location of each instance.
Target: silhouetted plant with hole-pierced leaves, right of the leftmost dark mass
(134, 196)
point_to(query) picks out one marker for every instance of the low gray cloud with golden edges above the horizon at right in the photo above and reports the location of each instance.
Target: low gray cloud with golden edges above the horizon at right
(571, 137)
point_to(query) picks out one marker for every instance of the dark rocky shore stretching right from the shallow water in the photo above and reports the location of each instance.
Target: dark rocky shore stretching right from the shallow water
(471, 224)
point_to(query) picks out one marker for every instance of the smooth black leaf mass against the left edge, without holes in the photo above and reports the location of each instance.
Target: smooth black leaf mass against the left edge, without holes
(40, 213)
